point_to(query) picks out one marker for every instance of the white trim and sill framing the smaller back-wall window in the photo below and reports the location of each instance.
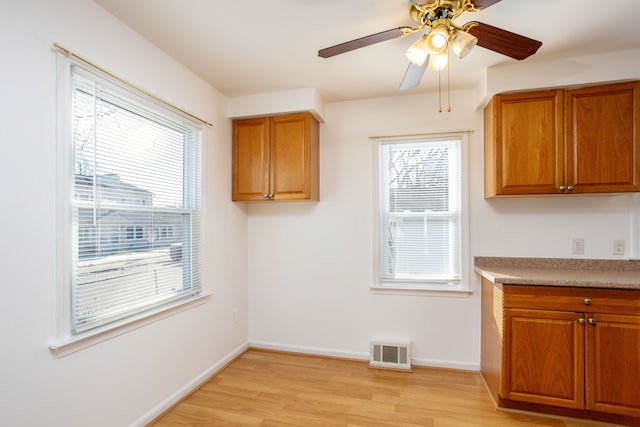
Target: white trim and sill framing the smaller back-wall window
(424, 289)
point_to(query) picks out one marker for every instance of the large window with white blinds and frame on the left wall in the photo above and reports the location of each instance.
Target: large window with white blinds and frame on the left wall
(131, 226)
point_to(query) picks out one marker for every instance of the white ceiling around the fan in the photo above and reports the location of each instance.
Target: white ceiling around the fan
(260, 46)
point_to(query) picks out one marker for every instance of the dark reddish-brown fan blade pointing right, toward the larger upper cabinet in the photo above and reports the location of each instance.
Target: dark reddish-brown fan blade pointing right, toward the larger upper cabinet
(504, 42)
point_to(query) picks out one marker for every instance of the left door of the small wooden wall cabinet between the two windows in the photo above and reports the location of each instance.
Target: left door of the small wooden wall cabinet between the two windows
(250, 159)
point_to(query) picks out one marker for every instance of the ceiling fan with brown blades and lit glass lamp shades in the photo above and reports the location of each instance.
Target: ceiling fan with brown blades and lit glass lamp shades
(432, 49)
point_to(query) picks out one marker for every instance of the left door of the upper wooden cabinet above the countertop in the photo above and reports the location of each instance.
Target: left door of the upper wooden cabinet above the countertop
(527, 146)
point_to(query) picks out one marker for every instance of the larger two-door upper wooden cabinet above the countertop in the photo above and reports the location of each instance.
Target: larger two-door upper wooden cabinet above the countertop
(563, 141)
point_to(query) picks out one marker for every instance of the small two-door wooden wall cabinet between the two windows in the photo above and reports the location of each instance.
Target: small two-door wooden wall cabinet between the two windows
(276, 158)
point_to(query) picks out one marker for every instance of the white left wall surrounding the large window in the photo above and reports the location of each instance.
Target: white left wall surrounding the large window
(127, 379)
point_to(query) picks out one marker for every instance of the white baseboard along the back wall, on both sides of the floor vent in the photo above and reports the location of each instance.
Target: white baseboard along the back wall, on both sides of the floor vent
(316, 351)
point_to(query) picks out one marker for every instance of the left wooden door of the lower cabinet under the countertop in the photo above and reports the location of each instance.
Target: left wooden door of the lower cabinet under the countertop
(544, 357)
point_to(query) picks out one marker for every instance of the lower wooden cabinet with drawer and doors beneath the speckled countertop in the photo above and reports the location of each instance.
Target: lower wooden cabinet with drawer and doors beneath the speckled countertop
(570, 351)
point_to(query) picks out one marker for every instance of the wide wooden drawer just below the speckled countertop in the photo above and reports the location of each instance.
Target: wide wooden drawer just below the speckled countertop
(614, 301)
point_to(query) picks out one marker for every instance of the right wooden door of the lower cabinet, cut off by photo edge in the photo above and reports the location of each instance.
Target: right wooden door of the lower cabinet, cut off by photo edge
(613, 364)
